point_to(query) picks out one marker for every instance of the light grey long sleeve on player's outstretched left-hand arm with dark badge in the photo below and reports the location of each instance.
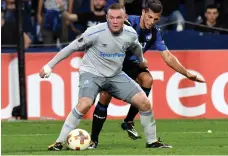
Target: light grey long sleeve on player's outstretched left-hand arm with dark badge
(86, 40)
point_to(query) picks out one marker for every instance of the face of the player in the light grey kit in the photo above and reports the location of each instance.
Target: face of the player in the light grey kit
(116, 19)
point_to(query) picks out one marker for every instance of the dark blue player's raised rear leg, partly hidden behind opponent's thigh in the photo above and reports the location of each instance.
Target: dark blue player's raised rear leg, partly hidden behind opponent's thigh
(145, 80)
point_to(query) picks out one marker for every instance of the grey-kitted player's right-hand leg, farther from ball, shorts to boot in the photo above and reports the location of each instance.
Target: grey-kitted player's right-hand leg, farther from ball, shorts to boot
(128, 90)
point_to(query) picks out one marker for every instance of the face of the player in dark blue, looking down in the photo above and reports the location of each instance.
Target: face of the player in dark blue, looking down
(150, 18)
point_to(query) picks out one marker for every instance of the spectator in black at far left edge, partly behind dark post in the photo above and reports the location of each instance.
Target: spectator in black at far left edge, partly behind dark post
(9, 32)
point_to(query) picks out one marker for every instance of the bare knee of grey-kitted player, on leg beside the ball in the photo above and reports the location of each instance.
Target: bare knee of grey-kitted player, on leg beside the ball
(84, 105)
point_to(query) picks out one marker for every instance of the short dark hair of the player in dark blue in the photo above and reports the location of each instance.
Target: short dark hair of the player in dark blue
(154, 5)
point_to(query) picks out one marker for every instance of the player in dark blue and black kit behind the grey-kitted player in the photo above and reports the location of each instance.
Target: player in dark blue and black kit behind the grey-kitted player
(149, 36)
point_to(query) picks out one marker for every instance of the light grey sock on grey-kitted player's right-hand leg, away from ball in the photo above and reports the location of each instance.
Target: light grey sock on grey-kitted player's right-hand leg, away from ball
(149, 126)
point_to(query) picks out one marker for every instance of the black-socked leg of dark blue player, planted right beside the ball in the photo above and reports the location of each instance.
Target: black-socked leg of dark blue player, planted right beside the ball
(99, 117)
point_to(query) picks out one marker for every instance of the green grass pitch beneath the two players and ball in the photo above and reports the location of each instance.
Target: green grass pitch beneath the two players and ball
(188, 137)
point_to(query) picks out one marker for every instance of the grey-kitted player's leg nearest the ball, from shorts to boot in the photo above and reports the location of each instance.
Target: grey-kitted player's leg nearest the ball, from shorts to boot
(89, 88)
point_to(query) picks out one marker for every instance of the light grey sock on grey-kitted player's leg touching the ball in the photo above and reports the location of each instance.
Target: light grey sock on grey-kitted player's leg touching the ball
(72, 121)
